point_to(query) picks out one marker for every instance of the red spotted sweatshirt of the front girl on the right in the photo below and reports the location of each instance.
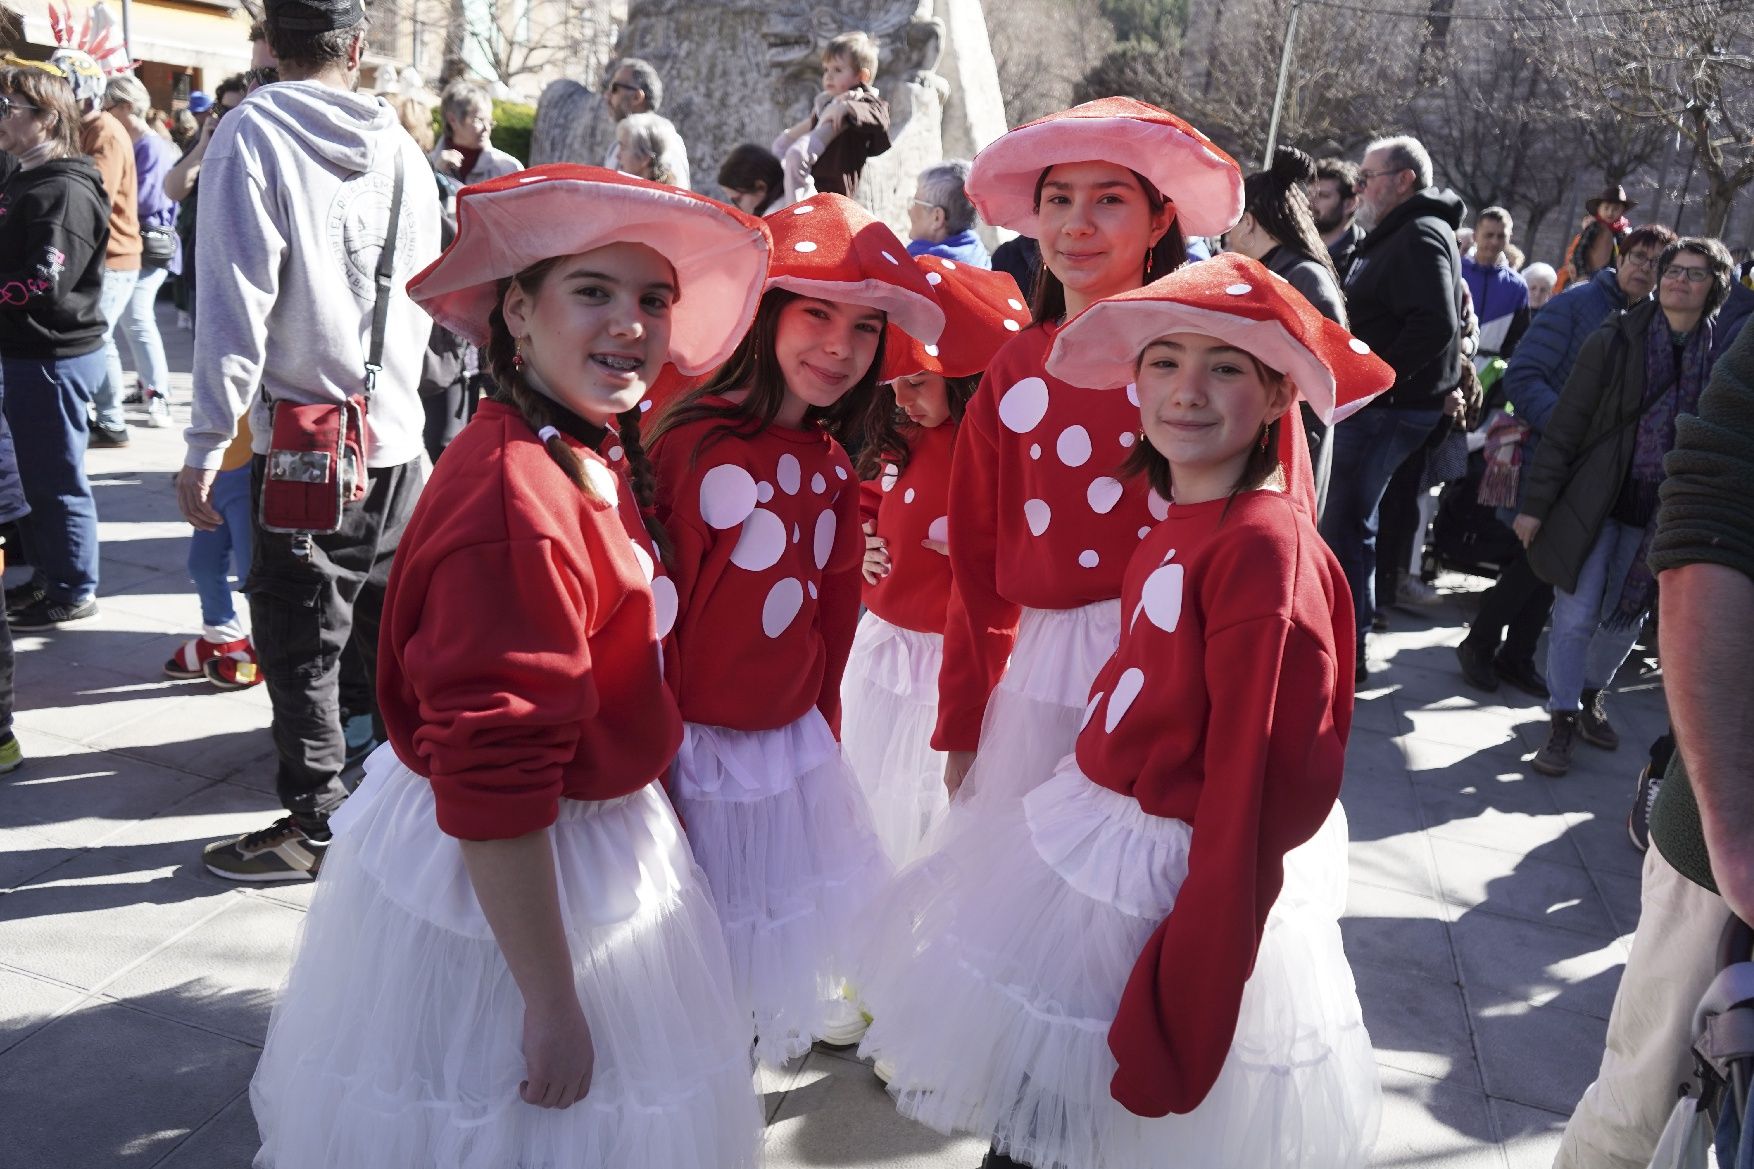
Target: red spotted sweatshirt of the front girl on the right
(1227, 706)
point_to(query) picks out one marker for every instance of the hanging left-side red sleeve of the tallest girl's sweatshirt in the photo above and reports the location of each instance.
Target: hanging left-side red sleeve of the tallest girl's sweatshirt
(981, 626)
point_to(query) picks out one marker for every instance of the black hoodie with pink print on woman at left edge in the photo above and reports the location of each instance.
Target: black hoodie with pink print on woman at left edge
(53, 234)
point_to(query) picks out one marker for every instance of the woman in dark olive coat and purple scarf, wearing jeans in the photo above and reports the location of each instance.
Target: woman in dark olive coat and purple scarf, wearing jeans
(1594, 487)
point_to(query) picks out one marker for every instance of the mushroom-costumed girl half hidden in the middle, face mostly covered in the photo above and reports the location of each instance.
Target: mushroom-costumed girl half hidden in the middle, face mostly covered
(890, 692)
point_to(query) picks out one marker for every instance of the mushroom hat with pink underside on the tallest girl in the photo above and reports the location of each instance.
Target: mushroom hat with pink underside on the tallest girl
(1185, 166)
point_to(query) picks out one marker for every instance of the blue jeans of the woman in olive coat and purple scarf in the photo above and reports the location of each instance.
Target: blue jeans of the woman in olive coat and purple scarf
(1581, 654)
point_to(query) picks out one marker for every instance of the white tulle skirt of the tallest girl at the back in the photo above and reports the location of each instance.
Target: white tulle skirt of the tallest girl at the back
(1034, 719)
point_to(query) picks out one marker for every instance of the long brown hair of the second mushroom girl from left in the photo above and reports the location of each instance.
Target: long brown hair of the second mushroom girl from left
(755, 368)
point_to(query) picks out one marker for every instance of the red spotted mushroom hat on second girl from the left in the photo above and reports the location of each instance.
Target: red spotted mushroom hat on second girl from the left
(831, 248)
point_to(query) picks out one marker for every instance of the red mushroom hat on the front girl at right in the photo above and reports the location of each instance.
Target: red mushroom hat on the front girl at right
(1239, 301)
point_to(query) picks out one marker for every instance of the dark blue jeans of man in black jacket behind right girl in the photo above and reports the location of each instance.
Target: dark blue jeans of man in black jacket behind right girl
(1369, 448)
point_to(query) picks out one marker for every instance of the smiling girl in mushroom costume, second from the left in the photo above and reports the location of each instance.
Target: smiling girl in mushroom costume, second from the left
(764, 508)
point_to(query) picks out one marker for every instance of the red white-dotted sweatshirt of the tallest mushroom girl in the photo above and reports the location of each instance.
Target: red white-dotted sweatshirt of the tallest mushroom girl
(1039, 517)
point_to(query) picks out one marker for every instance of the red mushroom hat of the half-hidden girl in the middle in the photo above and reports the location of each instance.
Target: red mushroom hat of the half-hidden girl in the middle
(983, 310)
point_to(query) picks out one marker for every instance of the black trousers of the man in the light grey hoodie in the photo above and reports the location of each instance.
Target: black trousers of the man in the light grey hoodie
(310, 599)
